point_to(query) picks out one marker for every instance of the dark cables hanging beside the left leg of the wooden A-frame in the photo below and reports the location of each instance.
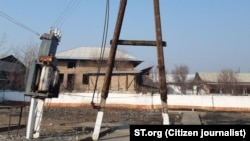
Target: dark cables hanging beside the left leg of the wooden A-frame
(104, 40)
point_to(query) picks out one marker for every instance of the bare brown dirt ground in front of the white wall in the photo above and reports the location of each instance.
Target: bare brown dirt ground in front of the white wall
(64, 123)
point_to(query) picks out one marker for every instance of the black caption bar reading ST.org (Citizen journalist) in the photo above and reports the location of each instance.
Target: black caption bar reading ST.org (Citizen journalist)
(194, 132)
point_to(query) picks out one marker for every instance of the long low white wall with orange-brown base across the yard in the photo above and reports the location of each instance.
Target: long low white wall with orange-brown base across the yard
(143, 101)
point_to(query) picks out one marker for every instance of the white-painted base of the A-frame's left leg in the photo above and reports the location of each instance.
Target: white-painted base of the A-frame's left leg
(98, 123)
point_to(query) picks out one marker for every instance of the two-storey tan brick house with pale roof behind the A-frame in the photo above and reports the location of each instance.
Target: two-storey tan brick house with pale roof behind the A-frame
(82, 70)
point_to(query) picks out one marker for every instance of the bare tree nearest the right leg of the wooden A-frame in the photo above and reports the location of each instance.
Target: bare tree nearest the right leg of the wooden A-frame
(180, 73)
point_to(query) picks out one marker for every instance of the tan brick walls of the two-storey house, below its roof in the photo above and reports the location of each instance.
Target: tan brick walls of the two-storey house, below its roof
(119, 82)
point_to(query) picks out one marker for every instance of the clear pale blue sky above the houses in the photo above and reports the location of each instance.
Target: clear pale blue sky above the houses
(205, 35)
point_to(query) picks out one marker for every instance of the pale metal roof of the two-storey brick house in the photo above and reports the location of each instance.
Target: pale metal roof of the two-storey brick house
(90, 53)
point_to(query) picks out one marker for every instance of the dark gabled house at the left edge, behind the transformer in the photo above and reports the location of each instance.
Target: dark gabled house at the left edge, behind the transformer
(12, 73)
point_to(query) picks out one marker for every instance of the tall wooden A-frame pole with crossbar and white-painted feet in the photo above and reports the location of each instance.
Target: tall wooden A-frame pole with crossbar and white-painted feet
(161, 67)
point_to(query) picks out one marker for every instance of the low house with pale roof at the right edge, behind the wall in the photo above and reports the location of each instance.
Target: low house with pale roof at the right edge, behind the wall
(210, 83)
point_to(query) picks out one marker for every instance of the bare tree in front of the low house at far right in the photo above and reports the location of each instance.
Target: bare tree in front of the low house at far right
(227, 81)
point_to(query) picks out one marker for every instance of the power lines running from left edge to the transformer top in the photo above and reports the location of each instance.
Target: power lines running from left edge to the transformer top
(2, 14)
